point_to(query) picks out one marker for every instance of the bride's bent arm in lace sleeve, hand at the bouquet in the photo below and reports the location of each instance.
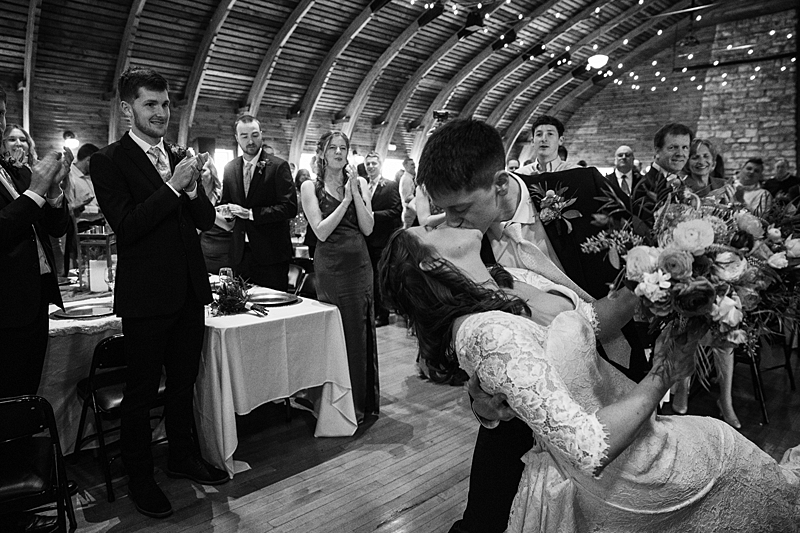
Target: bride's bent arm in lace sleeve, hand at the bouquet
(510, 359)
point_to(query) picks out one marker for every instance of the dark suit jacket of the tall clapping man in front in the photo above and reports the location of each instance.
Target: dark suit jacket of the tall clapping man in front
(157, 242)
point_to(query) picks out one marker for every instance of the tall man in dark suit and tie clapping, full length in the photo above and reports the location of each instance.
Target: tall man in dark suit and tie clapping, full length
(153, 203)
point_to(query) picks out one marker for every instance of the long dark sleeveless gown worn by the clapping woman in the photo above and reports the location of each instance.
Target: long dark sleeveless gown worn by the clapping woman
(344, 278)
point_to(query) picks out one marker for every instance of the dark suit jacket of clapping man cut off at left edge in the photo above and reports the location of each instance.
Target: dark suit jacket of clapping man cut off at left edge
(22, 288)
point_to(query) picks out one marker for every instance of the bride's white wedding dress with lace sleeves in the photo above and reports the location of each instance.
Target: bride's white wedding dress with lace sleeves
(681, 474)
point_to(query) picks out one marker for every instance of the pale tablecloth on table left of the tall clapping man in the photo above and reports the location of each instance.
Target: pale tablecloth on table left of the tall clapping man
(68, 360)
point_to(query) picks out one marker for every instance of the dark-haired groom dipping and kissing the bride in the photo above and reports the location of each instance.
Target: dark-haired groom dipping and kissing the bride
(462, 169)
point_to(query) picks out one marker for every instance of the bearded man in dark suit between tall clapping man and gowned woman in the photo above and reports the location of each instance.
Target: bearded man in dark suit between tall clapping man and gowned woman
(259, 190)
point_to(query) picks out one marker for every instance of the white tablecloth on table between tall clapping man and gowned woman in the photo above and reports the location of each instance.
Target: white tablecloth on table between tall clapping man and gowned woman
(249, 361)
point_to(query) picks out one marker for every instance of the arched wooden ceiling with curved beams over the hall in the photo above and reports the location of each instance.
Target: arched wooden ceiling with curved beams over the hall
(377, 69)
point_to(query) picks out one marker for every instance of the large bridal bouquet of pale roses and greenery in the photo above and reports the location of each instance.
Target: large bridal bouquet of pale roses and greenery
(704, 265)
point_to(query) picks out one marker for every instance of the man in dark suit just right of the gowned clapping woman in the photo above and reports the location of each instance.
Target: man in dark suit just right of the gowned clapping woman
(387, 210)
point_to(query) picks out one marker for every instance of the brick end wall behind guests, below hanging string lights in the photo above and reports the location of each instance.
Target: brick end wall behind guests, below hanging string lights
(746, 110)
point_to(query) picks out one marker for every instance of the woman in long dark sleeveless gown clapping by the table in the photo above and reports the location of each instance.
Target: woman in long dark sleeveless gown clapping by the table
(338, 210)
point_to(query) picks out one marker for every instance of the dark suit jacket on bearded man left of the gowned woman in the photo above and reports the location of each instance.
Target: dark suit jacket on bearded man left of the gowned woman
(273, 199)
